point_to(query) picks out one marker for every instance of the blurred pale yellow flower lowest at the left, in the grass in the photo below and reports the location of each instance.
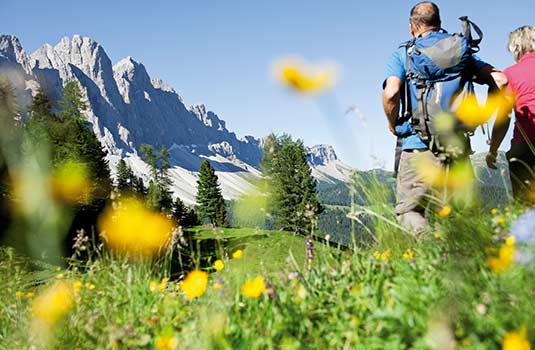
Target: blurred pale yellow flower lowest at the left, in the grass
(52, 304)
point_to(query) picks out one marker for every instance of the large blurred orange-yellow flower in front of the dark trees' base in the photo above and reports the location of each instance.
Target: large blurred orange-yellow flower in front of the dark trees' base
(134, 229)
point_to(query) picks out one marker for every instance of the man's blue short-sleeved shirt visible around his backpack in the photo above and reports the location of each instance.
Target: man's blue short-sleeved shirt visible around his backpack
(396, 67)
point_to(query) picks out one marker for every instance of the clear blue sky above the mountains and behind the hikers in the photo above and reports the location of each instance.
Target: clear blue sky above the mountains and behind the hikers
(219, 53)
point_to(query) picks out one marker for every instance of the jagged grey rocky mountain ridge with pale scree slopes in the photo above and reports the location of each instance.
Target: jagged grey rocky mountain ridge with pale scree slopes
(126, 108)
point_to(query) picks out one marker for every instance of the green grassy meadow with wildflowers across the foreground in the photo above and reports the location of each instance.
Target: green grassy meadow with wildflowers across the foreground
(347, 300)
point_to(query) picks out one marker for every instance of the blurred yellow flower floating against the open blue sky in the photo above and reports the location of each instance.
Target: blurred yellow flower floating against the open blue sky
(305, 78)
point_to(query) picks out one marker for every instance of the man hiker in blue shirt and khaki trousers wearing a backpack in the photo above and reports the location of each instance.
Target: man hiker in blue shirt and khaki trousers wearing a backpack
(424, 76)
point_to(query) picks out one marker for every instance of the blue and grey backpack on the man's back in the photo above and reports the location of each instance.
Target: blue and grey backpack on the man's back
(439, 68)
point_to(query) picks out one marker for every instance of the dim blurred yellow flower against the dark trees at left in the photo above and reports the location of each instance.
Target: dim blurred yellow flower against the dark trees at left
(70, 183)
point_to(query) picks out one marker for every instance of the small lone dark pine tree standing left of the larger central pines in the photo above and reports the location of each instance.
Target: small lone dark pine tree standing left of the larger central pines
(210, 202)
